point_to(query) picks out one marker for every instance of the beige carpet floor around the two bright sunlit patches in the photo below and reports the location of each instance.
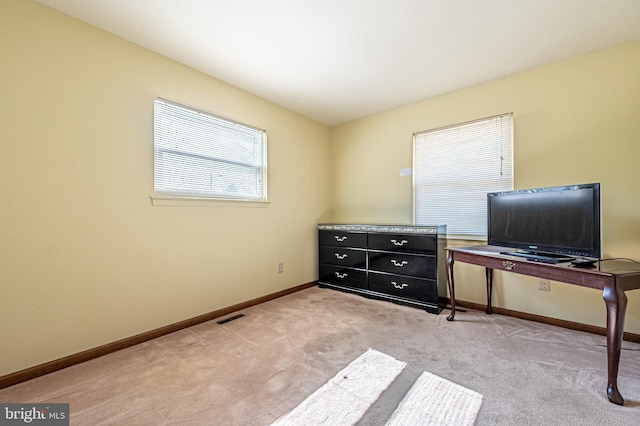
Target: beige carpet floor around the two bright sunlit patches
(253, 370)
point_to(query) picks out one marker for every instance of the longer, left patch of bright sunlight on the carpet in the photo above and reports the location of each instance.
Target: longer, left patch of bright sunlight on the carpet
(345, 398)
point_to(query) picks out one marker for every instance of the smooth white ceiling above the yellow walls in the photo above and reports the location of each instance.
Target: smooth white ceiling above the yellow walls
(339, 60)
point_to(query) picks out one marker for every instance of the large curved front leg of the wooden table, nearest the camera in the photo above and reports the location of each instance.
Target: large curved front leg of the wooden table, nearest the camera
(616, 302)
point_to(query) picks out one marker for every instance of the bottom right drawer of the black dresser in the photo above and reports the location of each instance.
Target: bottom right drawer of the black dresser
(402, 286)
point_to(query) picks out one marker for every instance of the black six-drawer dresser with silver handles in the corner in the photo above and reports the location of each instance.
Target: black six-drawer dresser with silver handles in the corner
(399, 263)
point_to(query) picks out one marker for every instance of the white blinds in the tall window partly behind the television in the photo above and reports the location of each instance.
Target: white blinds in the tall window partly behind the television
(454, 169)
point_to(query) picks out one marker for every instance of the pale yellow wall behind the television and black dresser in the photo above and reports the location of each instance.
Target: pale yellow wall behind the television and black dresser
(575, 121)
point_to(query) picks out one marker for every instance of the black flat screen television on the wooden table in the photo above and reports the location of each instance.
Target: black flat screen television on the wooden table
(561, 222)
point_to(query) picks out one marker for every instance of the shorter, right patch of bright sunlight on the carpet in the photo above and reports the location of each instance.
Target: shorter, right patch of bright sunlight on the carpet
(433, 400)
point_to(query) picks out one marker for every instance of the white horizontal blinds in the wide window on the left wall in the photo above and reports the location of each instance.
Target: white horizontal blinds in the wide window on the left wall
(201, 155)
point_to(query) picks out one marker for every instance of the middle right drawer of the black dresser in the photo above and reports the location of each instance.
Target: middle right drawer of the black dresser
(403, 264)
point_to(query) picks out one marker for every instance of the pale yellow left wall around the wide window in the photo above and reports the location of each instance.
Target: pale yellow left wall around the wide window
(86, 259)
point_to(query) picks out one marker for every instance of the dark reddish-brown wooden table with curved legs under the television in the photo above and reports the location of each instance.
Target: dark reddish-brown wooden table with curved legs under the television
(613, 277)
